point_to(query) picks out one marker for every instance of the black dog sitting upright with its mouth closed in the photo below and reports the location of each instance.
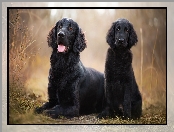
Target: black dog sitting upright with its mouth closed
(122, 94)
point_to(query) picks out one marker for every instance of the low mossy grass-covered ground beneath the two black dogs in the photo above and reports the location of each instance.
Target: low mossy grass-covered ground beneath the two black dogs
(21, 106)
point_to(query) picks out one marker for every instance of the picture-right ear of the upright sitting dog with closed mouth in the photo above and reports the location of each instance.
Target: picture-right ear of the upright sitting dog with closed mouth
(133, 39)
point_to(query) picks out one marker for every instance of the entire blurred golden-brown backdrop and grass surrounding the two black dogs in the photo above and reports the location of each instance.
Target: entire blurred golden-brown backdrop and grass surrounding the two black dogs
(29, 60)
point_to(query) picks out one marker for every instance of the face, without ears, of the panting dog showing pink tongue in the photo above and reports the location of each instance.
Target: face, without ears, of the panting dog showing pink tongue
(66, 31)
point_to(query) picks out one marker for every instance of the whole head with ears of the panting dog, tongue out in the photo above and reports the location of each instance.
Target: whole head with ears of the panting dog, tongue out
(66, 36)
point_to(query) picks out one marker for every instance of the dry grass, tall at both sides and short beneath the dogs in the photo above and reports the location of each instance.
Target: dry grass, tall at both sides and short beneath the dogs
(22, 103)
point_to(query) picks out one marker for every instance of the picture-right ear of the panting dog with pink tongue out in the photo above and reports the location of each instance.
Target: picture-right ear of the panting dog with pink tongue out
(80, 42)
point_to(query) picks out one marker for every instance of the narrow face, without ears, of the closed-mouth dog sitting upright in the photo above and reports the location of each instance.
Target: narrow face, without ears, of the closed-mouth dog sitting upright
(121, 33)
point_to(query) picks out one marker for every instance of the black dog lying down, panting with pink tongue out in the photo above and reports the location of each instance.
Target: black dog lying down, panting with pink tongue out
(72, 89)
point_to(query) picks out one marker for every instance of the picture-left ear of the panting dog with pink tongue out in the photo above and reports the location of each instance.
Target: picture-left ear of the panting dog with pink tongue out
(52, 37)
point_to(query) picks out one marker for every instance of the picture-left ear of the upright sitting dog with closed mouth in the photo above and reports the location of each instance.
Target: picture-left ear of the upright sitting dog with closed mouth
(110, 37)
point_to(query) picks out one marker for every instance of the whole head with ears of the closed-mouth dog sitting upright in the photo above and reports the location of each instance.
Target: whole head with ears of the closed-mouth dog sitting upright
(121, 34)
